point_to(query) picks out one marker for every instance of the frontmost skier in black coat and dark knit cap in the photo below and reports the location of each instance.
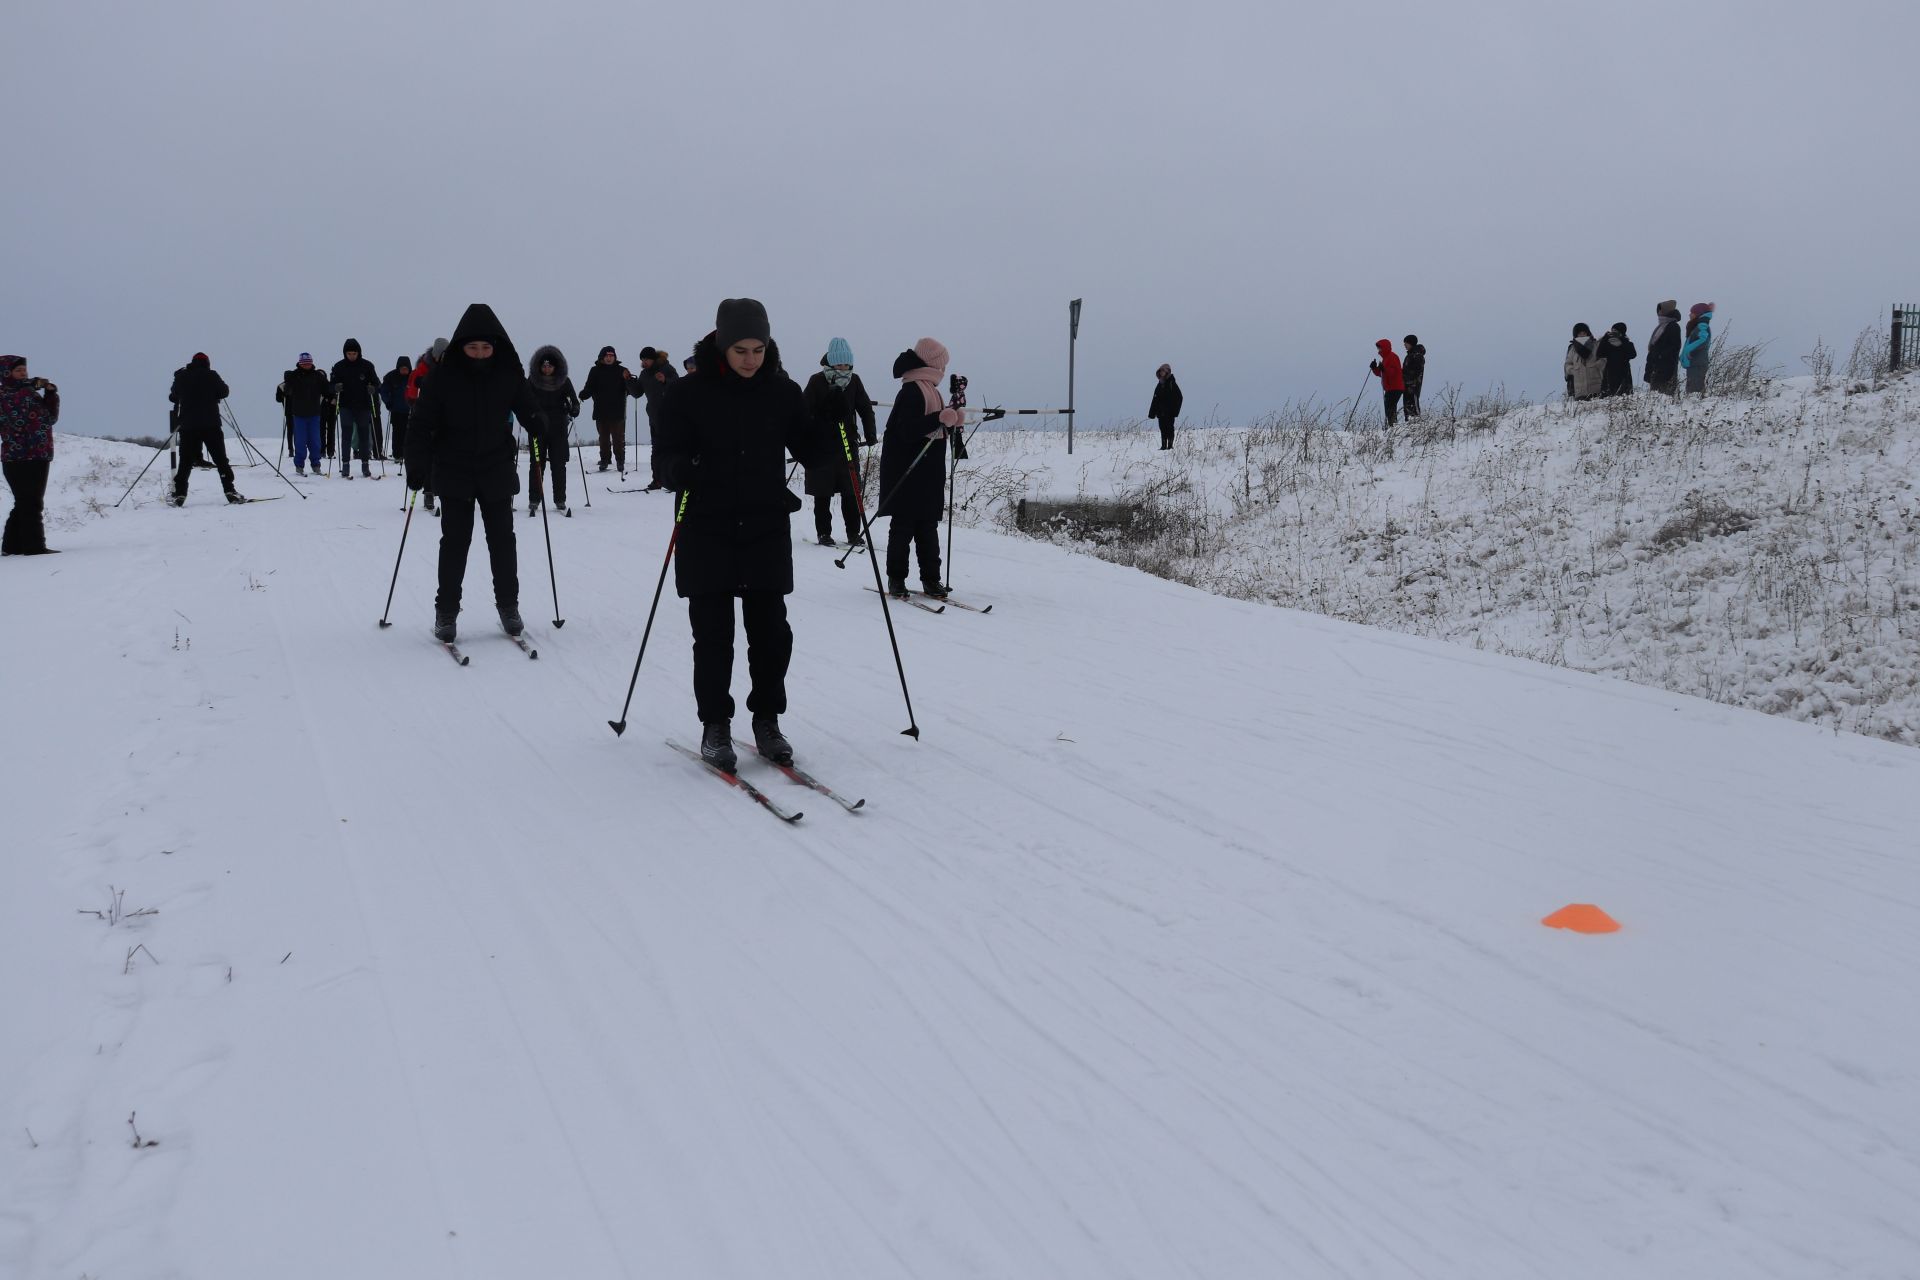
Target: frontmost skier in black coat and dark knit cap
(723, 437)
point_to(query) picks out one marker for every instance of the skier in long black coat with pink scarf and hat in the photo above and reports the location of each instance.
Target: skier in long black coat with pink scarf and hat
(913, 467)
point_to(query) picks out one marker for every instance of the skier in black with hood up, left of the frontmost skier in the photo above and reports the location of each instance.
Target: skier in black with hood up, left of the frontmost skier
(462, 444)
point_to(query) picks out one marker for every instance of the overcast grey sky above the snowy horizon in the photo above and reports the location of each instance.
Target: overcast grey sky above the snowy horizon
(1249, 191)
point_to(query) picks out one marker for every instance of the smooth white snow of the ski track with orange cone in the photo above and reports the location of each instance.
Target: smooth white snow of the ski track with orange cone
(1193, 939)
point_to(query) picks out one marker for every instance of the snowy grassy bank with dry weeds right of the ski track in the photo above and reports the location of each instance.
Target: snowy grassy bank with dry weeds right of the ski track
(1760, 552)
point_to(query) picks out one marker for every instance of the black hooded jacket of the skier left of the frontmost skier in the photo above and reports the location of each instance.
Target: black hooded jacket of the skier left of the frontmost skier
(460, 440)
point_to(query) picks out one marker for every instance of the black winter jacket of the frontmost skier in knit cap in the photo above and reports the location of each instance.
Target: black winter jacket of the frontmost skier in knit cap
(725, 440)
